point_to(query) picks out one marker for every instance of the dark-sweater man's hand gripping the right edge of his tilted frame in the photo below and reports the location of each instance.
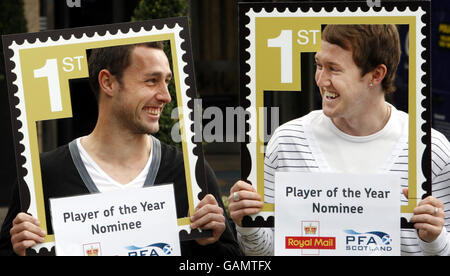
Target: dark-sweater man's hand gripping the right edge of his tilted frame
(208, 216)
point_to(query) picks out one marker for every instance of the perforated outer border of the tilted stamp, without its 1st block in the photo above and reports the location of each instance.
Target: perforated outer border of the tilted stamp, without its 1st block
(30, 188)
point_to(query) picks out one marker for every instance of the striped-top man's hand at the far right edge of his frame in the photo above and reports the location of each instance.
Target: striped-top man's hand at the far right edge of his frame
(428, 217)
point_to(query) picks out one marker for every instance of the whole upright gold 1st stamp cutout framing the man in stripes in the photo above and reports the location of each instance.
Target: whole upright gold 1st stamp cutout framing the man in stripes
(272, 38)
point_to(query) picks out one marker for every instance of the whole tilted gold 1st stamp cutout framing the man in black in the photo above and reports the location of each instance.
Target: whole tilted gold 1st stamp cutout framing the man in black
(39, 67)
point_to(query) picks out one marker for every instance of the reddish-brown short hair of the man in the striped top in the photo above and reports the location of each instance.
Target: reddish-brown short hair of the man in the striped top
(371, 45)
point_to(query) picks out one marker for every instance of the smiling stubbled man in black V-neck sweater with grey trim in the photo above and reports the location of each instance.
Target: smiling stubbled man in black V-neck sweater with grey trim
(130, 83)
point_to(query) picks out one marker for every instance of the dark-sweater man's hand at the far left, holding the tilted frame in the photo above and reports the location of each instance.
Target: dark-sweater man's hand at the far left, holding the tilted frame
(25, 233)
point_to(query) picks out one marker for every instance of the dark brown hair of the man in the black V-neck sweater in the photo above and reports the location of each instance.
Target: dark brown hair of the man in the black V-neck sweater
(115, 59)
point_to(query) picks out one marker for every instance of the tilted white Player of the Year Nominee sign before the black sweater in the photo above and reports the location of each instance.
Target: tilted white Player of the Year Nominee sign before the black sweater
(137, 222)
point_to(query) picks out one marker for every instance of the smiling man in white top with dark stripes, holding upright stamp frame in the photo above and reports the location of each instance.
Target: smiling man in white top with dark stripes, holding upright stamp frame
(356, 131)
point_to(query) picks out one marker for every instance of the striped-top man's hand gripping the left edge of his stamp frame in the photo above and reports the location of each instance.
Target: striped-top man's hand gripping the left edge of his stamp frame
(243, 201)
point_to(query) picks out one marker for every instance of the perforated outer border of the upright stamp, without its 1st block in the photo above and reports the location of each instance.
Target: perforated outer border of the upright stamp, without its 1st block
(251, 158)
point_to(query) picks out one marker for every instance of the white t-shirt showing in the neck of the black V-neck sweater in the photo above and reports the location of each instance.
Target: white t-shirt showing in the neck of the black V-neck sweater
(103, 181)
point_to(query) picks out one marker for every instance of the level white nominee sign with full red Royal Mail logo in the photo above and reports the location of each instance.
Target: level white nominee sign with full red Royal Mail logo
(336, 214)
